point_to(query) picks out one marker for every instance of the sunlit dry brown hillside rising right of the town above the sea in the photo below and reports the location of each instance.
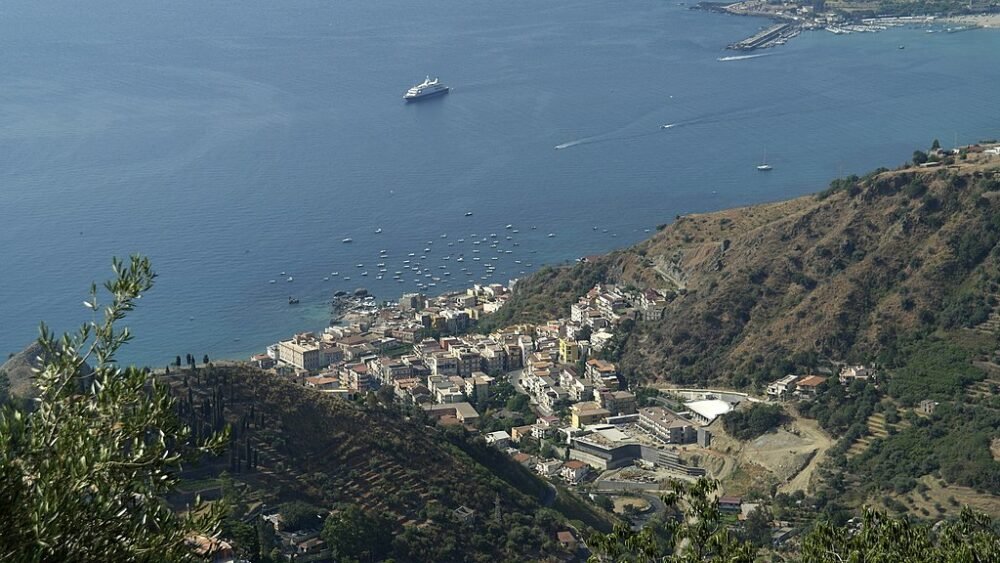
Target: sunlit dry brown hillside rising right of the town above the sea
(852, 273)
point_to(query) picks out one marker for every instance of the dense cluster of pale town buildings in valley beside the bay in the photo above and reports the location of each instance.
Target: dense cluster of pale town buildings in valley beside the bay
(541, 393)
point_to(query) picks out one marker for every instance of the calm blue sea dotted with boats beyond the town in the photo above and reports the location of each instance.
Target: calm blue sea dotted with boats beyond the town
(231, 141)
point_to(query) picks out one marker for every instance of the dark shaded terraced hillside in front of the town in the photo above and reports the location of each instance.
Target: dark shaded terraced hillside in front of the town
(331, 453)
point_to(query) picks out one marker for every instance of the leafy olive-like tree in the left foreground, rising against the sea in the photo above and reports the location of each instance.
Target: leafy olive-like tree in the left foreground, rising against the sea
(83, 474)
